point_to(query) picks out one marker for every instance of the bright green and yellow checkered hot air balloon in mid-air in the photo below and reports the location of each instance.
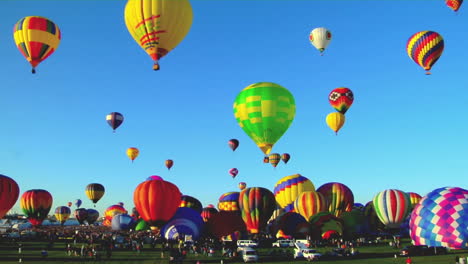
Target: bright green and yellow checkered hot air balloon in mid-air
(264, 111)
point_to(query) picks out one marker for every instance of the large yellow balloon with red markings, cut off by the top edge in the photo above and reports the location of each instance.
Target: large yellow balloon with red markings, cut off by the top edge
(158, 26)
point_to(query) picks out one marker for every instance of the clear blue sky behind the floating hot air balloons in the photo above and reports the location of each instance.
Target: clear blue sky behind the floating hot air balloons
(405, 130)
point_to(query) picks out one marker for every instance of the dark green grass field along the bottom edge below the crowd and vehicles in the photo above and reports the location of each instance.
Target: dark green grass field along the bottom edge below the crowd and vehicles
(381, 254)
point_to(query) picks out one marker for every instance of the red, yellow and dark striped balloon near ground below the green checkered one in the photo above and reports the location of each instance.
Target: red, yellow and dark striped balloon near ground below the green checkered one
(256, 205)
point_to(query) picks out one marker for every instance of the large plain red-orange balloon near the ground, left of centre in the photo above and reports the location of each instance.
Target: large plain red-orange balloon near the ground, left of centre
(157, 202)
